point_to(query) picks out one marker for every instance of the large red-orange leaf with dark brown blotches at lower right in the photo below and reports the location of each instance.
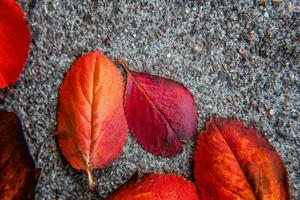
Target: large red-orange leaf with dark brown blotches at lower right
(233, 161)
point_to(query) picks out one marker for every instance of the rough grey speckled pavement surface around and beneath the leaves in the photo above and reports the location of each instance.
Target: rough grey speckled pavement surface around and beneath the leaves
(239, 60)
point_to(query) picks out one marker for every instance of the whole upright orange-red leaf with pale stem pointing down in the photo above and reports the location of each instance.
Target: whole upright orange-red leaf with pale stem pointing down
(91, 127)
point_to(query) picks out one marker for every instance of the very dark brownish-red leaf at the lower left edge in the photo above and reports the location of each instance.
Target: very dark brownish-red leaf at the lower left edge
(18, 177)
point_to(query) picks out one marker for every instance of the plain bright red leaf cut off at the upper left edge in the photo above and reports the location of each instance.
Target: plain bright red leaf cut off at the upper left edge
(14, 42)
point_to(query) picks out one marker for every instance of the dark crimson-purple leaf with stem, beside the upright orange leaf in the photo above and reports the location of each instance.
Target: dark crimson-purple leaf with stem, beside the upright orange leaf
(160, 112)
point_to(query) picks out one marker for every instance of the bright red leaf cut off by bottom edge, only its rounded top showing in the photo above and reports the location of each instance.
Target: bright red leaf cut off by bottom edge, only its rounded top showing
(157, 186)
